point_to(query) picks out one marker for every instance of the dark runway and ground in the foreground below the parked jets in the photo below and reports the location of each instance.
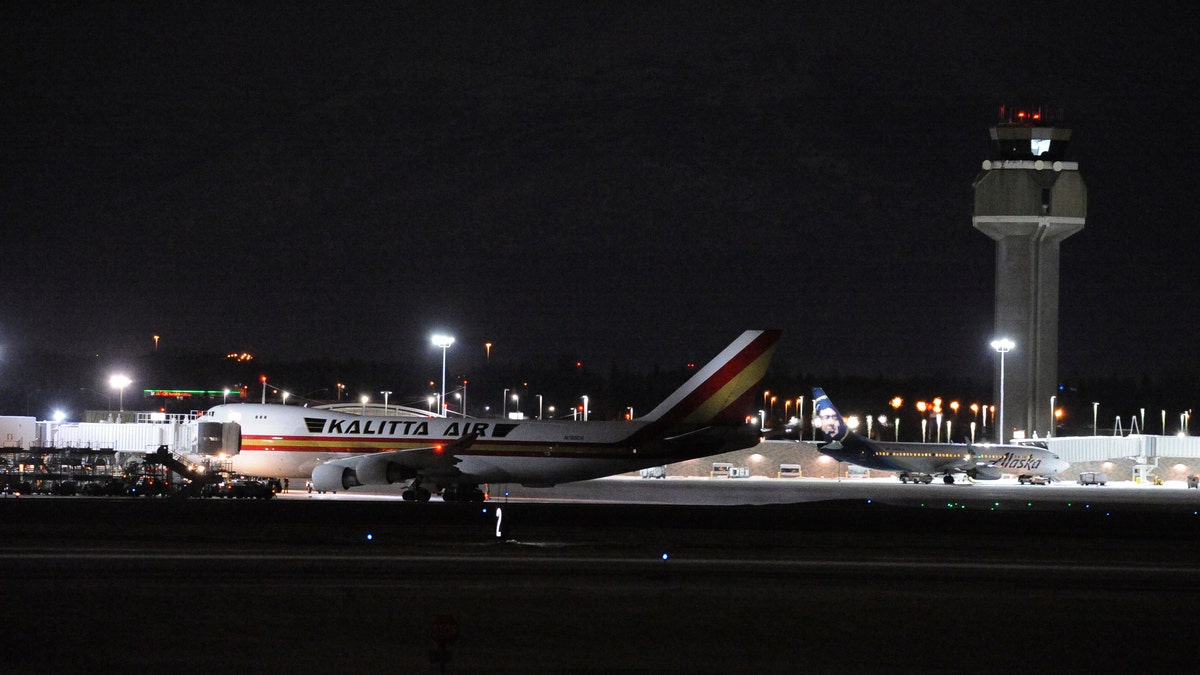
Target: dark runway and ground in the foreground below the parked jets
(694, 576)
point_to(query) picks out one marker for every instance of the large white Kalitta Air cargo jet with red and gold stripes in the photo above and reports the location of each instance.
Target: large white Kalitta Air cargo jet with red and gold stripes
(454, 457)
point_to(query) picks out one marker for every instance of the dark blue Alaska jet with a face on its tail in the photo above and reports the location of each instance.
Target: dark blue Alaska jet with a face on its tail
(922, 462)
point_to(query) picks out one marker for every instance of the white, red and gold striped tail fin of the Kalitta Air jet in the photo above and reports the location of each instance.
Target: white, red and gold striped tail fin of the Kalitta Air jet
(725, 389)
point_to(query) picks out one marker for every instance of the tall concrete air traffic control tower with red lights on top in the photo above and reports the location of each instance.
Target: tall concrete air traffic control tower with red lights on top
(1029, 199)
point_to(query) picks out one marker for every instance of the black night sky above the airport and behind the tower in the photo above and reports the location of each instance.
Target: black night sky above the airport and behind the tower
(633, 183)
